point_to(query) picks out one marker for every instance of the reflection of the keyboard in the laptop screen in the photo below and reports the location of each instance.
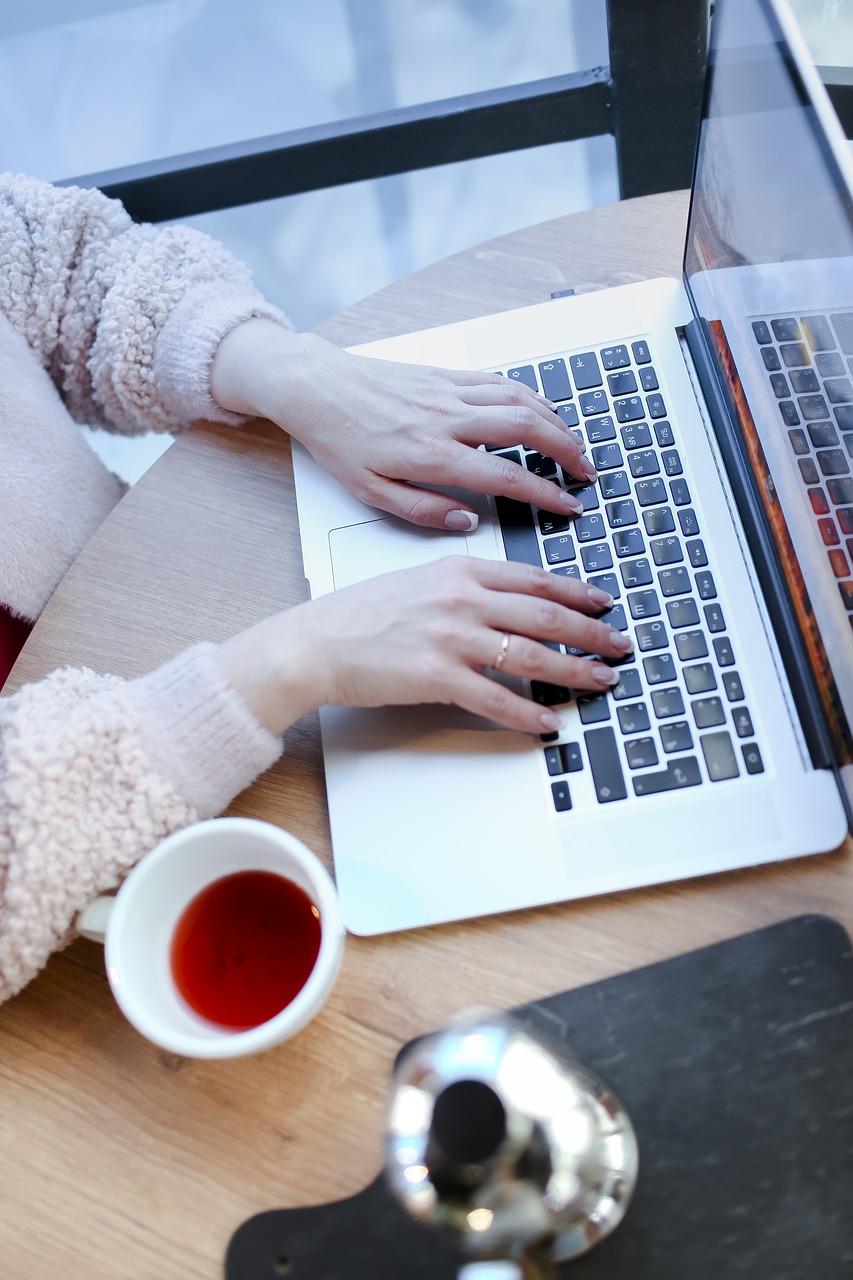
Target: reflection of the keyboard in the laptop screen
(810, 368)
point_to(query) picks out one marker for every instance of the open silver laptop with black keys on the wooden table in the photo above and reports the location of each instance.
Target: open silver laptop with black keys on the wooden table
(719, 413)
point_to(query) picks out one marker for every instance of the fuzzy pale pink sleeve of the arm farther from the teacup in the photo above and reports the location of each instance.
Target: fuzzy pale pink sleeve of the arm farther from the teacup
(125, 317)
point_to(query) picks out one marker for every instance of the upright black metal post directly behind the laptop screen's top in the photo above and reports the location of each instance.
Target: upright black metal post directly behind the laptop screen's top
(658, 60)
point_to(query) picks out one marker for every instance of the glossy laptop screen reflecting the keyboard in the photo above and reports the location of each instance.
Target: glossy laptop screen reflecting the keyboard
(769, 266)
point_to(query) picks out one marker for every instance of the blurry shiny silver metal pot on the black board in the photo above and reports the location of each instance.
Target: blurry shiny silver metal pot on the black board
(507, 1145)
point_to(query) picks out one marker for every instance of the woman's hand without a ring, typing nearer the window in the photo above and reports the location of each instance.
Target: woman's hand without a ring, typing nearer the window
(395, 435)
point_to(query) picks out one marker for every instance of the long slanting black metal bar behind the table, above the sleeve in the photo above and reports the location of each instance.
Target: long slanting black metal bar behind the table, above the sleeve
(560, 109)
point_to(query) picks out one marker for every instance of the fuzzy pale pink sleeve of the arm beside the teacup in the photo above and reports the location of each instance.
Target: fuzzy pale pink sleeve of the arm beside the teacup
(94, 772)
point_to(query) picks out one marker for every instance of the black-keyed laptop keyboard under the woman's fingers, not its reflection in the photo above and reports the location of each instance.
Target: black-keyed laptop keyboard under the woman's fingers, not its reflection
(679, 716)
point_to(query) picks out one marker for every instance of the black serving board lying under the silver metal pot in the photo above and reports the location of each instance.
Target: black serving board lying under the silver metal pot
(736, 1064)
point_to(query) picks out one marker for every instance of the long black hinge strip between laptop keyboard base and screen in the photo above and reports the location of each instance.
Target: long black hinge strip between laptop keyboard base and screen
(763, 547)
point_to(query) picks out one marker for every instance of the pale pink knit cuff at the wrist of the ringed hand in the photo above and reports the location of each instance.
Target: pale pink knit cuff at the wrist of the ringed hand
(199, 732)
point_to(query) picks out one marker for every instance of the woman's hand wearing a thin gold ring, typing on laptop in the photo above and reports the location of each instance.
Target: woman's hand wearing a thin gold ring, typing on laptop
(428, 636)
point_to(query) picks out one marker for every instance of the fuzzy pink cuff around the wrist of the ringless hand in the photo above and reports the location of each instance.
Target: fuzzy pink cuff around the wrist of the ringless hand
(188, 345)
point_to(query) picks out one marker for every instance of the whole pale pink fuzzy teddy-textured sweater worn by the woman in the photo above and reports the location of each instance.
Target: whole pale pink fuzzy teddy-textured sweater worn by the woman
(115, 324)
